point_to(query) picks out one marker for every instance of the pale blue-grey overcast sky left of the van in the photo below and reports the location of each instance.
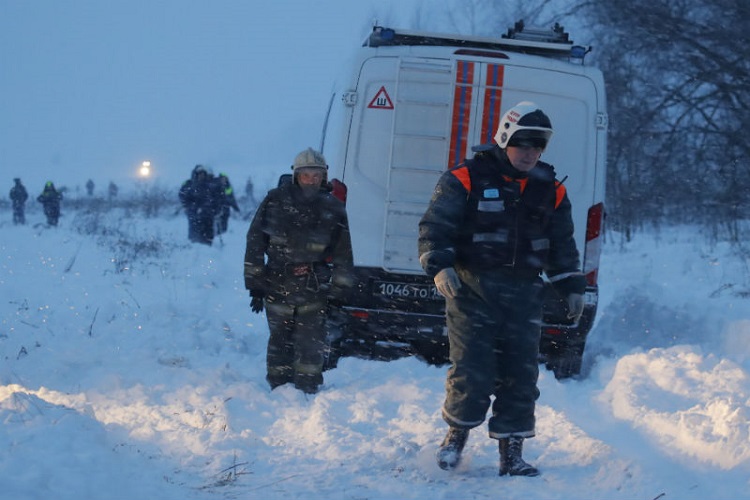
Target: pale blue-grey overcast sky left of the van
(90, 88)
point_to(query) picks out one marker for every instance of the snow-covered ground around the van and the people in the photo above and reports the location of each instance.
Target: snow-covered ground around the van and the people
(132, 367)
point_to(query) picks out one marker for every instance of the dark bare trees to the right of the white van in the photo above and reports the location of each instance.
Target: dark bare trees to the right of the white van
(679, 91)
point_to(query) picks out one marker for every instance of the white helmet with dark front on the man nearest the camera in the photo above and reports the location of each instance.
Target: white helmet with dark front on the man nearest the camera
(524, 123)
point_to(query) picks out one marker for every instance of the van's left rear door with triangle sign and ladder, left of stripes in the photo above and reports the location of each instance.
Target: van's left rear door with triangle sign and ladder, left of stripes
(397, 154)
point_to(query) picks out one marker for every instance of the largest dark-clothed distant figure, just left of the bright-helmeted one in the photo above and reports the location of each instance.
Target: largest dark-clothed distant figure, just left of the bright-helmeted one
(201, 198)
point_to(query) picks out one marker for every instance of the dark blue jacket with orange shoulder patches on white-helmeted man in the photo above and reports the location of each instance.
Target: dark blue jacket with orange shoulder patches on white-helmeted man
(486, 216)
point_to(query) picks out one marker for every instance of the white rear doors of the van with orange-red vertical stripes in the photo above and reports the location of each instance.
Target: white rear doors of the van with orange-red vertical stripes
(419, 116)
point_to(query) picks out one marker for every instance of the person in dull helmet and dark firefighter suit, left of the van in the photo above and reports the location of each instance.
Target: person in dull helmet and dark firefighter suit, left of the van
(298, 257)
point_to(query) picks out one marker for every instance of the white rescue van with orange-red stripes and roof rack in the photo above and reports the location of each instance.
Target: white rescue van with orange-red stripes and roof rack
(415, 104)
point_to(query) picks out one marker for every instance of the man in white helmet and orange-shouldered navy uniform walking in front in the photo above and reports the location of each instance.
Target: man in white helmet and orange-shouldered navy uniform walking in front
(494, 223)
